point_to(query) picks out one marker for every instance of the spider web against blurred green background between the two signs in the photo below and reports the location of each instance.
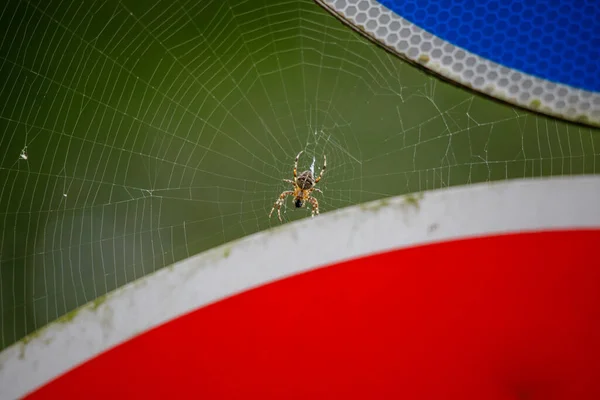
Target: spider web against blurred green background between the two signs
(136, 134)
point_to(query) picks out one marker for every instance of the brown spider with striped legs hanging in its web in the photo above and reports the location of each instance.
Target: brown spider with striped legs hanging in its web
(304, 185)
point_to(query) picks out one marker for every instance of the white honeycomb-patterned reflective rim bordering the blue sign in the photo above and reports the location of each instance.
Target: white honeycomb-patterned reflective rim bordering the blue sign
(407, 40)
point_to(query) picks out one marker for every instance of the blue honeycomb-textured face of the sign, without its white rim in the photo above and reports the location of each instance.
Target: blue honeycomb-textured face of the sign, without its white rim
(556, 40)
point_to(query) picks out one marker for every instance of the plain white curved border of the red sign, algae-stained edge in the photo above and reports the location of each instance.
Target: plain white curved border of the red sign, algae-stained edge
(518, 205)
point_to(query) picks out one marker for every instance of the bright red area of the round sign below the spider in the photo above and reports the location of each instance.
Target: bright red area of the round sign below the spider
(506, 317)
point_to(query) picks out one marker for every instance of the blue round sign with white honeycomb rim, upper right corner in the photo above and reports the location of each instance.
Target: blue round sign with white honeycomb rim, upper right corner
(514, 55)
